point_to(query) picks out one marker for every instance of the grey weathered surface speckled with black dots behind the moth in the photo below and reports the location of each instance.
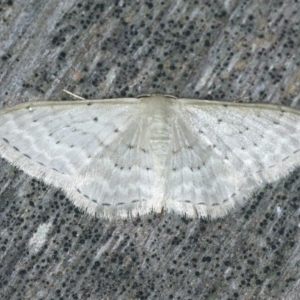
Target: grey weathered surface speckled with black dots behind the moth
(247, 50)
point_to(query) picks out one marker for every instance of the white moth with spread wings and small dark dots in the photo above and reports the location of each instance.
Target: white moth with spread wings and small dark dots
(130, 156)
